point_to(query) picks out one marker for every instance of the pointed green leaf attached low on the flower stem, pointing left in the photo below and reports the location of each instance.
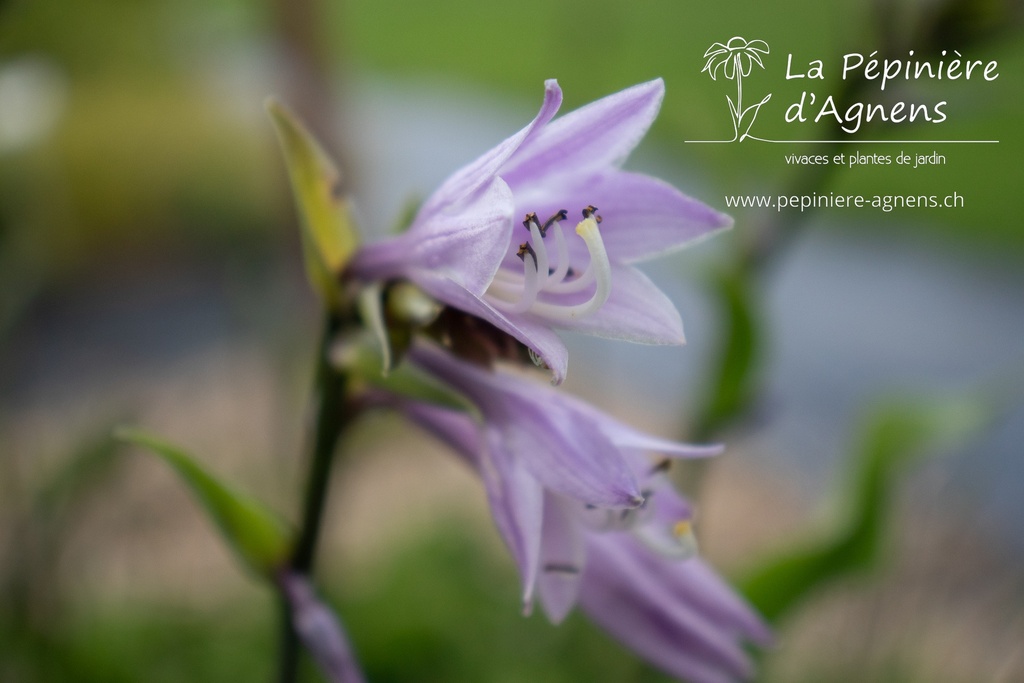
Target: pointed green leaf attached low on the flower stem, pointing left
(259, 536)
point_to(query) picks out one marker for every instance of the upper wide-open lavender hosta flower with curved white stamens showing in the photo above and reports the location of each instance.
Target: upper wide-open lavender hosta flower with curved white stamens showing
(467, 248)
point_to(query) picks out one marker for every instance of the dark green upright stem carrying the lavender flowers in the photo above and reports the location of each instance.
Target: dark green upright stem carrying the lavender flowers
(334, 415)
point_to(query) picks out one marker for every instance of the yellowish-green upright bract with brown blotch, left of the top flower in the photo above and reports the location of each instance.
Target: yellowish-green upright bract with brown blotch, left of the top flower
(329, 231)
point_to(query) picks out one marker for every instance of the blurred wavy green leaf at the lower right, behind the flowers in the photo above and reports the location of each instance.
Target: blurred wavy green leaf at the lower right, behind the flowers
(895, 437)
